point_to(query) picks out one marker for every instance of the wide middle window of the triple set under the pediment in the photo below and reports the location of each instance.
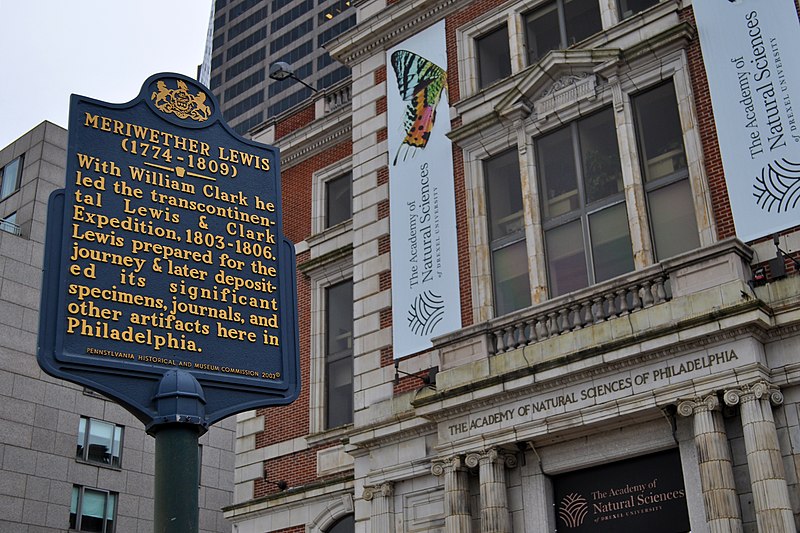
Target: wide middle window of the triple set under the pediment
(583, 208)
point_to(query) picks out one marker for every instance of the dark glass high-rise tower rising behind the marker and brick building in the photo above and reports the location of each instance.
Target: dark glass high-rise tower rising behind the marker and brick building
(251, 35)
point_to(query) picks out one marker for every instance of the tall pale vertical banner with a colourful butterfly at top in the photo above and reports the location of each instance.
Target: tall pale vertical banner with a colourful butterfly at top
(425, 289)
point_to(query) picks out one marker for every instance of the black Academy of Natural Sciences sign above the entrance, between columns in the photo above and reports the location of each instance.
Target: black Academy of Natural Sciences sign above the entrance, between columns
(642, 494)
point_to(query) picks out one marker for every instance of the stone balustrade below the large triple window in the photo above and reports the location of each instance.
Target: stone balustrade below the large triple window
(690, 275)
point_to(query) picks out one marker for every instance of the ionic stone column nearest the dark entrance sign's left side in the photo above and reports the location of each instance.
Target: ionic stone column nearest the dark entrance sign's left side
(494, 500)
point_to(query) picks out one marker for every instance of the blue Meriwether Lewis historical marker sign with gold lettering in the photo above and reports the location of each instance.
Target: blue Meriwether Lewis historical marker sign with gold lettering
(165, 259)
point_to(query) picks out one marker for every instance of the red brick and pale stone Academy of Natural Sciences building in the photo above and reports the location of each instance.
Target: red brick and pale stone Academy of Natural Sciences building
(620, 354)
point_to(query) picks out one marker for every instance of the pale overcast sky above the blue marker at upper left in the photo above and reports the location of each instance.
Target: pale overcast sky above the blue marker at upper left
(103, 49)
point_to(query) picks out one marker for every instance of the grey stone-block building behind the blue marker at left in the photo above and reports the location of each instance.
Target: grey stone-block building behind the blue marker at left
(70, 459)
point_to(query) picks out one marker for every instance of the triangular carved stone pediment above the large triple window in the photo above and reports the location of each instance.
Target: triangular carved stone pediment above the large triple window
(561, 79)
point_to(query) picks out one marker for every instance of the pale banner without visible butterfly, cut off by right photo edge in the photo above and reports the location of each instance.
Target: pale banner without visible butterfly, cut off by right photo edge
(751, 51)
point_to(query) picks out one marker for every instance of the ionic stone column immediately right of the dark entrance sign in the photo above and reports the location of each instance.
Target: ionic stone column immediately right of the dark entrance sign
(716, 466)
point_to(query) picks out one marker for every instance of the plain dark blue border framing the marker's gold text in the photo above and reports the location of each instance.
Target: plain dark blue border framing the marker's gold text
(134, 384)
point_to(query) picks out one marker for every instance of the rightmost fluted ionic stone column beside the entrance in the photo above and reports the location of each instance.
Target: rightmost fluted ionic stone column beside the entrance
(767, 475)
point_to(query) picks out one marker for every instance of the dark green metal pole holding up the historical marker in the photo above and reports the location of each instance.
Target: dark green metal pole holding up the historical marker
(177, 474)
